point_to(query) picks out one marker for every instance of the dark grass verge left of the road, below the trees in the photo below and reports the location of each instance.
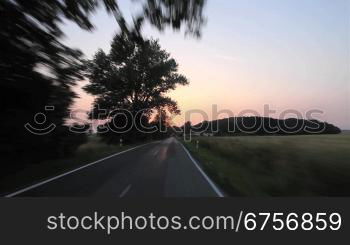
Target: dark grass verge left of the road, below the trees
(91, 151)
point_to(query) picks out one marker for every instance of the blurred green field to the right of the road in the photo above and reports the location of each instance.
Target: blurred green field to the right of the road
(317, 165)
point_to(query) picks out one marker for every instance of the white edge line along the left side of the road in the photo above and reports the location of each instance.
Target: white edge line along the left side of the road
(72, 171)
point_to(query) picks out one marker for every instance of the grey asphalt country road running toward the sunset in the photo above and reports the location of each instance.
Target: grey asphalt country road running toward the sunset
(158, 169)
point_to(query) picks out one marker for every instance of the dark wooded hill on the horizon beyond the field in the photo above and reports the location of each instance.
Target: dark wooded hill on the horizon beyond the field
(261, 126)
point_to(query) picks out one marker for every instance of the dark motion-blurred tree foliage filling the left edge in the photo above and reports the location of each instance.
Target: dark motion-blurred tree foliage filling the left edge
(36, 70)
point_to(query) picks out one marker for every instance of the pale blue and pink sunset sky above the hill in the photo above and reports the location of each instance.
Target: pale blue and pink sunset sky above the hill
(287, 55)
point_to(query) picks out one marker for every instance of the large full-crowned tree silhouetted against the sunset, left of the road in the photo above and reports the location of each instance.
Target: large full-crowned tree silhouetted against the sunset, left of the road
(135, 76)
